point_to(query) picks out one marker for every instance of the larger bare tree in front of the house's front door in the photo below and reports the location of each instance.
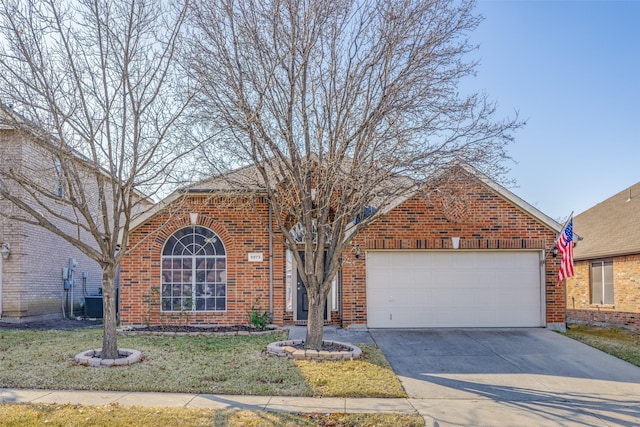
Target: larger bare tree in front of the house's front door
(341, 107)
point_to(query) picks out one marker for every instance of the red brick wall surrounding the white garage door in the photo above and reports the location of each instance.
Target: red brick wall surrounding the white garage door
(482, 219)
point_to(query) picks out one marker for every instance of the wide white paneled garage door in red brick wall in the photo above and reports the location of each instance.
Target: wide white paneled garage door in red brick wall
(454, 289)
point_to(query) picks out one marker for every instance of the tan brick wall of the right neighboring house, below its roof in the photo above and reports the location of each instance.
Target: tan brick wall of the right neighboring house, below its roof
(625, 310)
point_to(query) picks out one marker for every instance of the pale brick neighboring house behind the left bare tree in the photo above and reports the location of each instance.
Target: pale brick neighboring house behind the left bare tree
(31, 276)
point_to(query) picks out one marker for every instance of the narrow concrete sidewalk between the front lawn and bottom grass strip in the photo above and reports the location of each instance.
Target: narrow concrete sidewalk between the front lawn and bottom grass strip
(211, 401)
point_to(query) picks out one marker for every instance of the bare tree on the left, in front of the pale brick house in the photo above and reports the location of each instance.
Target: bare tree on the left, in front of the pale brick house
(95, 85)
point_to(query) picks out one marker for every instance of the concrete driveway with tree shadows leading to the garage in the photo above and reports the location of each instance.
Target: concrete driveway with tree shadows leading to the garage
(510, 377)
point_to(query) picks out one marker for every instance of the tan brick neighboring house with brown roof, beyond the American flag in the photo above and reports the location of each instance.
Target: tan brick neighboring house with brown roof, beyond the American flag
(606, 285)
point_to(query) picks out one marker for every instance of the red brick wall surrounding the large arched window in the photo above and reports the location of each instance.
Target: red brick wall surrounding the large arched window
(239, 227)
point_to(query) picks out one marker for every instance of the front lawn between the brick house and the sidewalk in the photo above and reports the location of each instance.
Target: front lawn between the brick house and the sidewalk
(212, 364)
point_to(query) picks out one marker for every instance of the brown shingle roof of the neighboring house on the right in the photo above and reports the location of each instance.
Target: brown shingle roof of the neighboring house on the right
(611, 227)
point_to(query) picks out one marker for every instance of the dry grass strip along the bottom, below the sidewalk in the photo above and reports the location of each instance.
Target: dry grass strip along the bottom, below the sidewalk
(18, 415)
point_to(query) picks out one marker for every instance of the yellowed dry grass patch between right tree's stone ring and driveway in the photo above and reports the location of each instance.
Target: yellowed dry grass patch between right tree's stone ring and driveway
(369, 376)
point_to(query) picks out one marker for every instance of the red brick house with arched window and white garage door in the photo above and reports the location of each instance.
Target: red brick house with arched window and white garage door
(471, 256)
